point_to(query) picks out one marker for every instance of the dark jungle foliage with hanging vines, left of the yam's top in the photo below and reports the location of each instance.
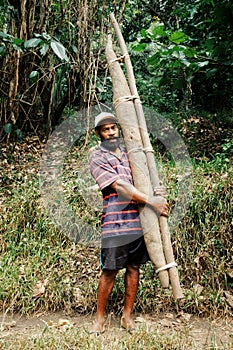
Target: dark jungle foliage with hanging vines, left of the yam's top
(50, 55)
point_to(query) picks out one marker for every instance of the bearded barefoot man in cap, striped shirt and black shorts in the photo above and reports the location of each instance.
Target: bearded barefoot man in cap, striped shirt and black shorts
(122, 238)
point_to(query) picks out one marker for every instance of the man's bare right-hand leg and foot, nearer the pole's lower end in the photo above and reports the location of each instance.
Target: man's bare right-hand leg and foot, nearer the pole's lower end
(131, 287)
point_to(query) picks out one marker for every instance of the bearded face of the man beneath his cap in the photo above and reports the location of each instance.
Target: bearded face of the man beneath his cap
(109, 135)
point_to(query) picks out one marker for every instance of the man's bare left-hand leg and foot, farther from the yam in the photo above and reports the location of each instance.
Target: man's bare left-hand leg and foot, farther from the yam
(105, 287)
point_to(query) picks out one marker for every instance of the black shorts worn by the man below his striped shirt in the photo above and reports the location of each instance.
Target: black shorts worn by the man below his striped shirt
(117, 258)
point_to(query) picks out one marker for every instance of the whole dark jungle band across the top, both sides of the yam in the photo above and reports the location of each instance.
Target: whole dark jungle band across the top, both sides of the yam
(53, 62)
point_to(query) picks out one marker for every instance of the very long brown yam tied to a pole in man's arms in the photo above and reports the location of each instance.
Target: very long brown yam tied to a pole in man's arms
(131, 118)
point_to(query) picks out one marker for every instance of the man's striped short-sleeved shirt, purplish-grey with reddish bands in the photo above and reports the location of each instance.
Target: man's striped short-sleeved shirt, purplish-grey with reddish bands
(120, 215)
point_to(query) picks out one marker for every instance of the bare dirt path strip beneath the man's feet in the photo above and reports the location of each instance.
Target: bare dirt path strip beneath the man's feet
(203, 331)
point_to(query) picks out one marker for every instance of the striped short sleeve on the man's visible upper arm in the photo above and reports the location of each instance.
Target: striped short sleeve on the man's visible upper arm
(102, 171)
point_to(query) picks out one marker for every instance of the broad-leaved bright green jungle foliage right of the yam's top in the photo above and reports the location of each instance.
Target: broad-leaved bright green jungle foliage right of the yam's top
(188, 53)
